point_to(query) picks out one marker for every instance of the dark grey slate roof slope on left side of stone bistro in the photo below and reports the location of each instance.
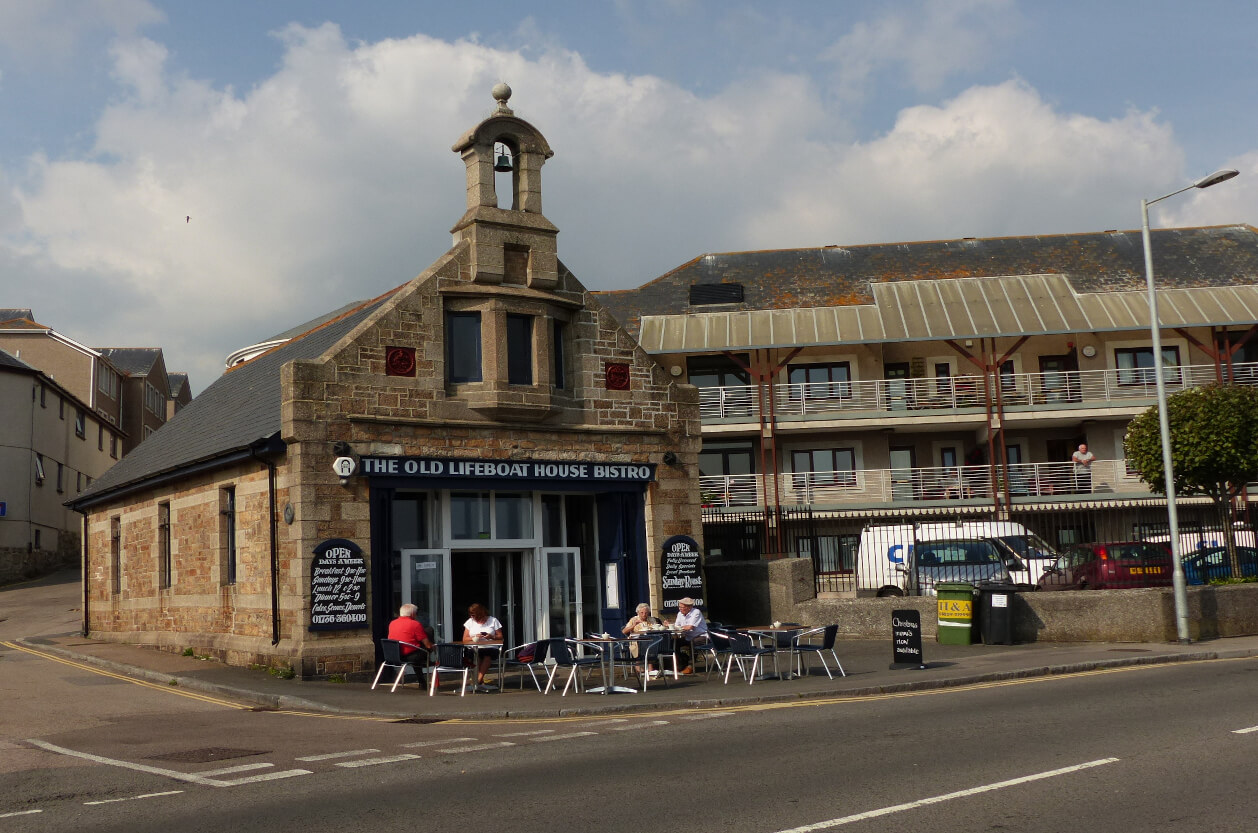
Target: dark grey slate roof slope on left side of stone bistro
(241, 410)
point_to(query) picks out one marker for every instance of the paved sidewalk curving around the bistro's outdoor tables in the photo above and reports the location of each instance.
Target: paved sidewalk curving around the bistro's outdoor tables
(867, 662)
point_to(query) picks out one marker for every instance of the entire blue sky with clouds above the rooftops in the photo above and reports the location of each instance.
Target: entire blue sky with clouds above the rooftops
(310, 143)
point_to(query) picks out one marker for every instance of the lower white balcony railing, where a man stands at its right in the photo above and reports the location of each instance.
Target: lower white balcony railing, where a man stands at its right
(1033, 483)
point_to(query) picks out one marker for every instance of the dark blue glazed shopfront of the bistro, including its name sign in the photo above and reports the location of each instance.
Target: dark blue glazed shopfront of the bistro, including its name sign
(552, 548)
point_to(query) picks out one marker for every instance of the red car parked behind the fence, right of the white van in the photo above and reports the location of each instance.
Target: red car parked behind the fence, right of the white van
(1122, 564)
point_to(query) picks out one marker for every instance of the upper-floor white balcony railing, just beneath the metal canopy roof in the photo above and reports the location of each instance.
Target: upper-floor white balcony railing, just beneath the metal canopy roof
(1065, 389)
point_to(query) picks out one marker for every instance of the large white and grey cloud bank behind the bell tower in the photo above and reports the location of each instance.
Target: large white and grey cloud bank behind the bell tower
(334, 181)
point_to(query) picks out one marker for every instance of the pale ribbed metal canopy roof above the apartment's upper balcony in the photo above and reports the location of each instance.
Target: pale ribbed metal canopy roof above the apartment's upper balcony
(950, 309)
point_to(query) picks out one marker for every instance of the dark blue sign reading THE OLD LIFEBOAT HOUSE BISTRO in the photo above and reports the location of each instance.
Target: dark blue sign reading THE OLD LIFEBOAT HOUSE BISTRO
(506, 470)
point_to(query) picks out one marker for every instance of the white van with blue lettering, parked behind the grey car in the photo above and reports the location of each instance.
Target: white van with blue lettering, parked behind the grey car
(885, 552)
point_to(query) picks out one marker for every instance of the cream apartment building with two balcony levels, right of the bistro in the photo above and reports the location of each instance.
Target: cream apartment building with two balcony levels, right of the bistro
(959, 377)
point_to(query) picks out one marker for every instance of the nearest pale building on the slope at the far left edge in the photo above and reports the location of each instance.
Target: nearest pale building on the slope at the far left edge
(52, 447)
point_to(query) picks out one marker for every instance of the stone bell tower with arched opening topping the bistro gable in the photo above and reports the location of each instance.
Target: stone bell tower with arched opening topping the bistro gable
(516, 245)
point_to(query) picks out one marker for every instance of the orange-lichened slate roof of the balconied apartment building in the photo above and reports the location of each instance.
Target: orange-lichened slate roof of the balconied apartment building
(846, 276)
